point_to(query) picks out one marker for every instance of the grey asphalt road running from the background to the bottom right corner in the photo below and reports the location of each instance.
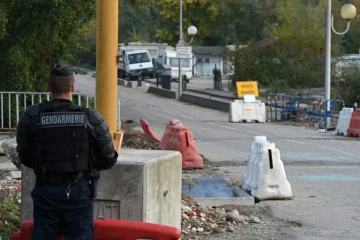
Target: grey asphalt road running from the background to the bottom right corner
(323, 168)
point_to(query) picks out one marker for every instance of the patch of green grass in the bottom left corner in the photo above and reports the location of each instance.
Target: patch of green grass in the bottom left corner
(9, 217)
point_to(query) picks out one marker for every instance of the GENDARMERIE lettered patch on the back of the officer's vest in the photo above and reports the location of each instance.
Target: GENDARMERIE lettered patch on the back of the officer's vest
(63, 119)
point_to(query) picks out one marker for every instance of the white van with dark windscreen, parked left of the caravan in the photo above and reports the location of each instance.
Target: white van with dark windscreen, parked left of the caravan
(131, 63)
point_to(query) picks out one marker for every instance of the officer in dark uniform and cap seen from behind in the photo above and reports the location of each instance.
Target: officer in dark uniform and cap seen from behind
(64, 144)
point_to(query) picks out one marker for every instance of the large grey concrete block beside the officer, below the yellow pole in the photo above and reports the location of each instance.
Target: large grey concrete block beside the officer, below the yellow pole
(144, 185)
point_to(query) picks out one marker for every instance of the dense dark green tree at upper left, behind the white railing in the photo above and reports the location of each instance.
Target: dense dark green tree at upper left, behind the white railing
(34, 35)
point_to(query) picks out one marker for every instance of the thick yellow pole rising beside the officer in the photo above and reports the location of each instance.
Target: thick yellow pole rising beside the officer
(106, 60)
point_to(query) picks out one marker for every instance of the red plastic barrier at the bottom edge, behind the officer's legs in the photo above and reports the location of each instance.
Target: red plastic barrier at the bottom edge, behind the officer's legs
(114, 229)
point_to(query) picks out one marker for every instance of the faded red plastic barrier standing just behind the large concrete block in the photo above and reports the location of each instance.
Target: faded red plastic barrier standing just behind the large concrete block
(177, 137)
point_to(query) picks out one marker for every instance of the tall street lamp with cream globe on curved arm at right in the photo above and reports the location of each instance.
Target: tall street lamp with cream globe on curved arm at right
(348, 12)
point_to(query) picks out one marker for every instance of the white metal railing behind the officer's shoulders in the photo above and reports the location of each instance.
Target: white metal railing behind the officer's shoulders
(13, 104)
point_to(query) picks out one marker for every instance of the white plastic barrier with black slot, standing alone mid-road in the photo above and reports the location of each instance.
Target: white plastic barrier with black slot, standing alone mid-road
(265, 176)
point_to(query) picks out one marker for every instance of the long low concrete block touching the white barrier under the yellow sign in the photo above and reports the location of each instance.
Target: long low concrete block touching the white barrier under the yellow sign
(205, 102)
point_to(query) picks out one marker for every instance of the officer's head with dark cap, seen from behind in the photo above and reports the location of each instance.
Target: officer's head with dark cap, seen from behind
(61, 78)
